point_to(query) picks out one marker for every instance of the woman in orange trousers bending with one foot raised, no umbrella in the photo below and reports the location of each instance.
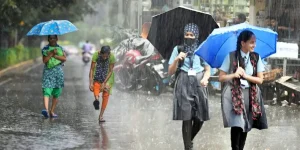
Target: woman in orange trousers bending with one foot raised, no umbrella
(102, 77)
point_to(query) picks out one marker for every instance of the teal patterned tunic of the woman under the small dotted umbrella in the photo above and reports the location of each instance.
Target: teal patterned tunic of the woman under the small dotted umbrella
(52, 77)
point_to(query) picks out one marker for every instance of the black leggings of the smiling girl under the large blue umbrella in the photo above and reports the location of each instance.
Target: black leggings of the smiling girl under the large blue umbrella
(238, 138)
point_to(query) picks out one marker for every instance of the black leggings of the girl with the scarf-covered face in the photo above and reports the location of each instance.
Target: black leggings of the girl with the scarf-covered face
(190, 128)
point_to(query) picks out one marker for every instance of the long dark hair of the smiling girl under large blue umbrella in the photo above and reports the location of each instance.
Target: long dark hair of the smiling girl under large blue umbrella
(243, 37)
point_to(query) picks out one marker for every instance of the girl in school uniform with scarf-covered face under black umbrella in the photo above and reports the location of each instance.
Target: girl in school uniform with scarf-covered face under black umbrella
(190, 93)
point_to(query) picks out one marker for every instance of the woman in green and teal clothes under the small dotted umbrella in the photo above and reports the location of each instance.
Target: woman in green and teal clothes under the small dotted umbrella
(53, 75)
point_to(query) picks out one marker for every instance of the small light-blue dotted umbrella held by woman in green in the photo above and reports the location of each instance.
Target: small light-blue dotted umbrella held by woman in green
(53, 27)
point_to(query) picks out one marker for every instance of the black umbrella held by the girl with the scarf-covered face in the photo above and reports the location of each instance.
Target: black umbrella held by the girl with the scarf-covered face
(167, 28)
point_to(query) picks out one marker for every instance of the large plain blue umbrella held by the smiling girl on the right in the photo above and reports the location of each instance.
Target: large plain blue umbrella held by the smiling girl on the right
(222, 41)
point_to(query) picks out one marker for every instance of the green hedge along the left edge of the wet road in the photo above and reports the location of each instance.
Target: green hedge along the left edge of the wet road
(16, 55)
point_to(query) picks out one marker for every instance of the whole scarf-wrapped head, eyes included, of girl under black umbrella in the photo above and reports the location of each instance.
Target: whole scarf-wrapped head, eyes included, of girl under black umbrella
(191, 35)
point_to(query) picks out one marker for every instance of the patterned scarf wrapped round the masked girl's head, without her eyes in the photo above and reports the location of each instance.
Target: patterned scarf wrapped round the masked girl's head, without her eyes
(191, 27)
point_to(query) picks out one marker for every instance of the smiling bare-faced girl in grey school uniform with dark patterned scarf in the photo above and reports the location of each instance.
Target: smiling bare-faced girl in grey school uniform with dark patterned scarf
(242, 104)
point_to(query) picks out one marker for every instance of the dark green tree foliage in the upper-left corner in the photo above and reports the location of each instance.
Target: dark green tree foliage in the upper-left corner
(19, 16)
